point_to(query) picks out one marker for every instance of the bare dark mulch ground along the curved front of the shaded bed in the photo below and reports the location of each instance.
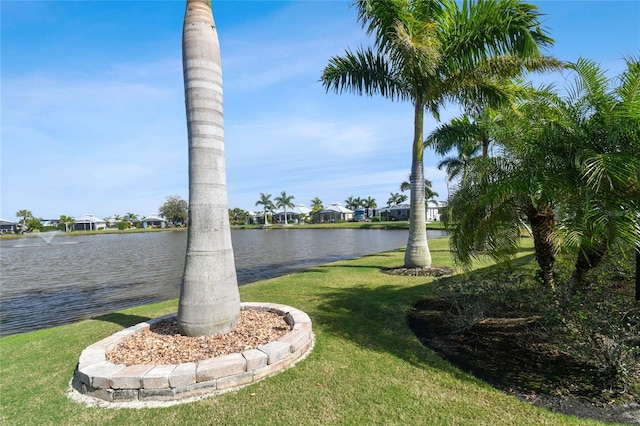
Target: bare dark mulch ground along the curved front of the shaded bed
(512, 353)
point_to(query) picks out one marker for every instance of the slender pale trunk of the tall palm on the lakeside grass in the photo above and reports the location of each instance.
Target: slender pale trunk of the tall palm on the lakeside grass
(417, 254)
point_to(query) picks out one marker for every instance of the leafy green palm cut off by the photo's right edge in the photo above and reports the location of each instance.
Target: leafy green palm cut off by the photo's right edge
(602, 162)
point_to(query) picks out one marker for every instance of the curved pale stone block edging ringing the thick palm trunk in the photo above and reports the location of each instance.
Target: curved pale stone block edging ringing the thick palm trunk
(98, 378)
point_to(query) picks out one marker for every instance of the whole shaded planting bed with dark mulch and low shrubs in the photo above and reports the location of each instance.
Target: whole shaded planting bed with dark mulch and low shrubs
(580, 357)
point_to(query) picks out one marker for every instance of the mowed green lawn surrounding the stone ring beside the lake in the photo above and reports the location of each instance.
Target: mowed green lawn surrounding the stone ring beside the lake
(367, 367)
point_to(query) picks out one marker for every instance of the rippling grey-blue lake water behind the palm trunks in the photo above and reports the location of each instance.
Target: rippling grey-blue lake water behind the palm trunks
(44, 284)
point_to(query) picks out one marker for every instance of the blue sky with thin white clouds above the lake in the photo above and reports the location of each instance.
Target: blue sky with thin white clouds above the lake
(92, 103)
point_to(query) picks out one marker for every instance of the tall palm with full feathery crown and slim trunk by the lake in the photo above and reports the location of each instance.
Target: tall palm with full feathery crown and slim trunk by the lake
(431, 52)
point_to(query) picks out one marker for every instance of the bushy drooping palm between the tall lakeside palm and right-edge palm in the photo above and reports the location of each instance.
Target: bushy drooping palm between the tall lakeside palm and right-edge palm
(496, 193)
